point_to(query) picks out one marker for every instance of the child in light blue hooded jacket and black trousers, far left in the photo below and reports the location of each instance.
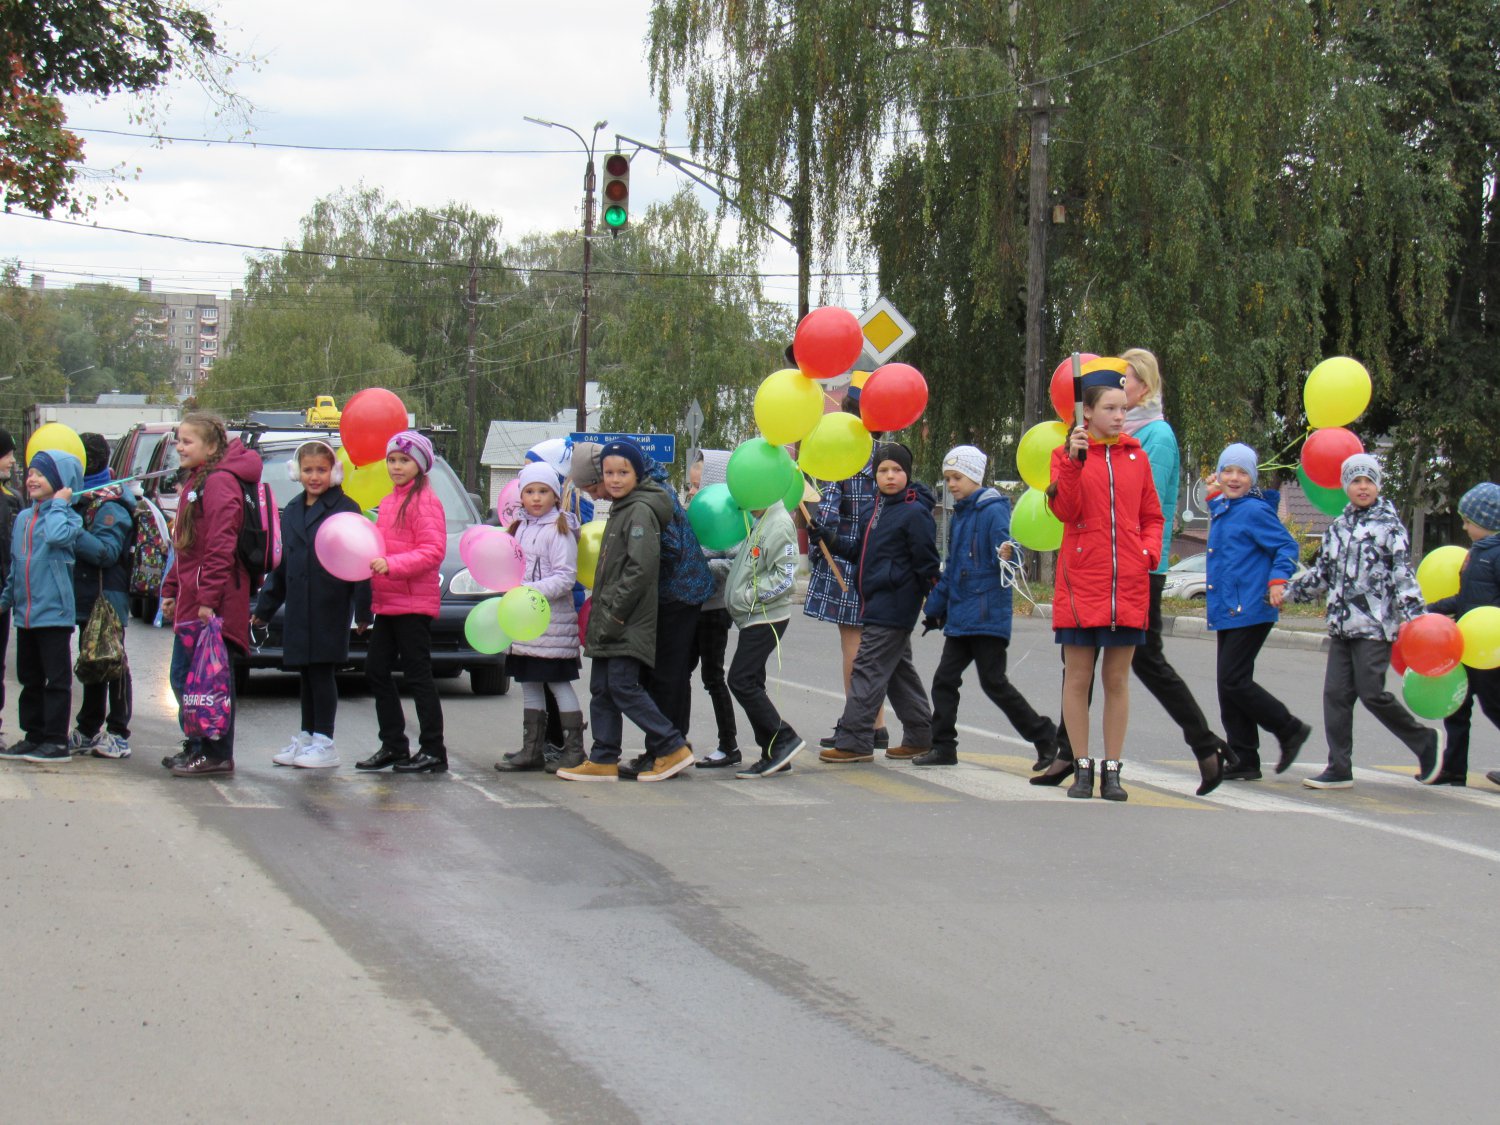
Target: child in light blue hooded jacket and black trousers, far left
(41, 593)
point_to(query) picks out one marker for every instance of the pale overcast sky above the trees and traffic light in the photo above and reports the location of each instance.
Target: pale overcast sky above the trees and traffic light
(446, 74)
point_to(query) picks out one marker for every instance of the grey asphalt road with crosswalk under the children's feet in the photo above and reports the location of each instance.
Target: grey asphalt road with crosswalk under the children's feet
(863, 944)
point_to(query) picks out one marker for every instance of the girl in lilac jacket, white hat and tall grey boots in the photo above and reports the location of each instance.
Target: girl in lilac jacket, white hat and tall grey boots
(548, 665)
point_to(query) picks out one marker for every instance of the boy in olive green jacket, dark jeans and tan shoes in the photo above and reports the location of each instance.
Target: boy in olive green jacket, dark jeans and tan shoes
(623, 625)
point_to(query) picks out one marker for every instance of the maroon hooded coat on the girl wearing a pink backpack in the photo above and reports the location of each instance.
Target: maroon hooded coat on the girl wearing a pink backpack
(209, 571)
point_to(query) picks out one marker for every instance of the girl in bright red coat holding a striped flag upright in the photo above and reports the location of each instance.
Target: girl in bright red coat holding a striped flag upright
(1103, 493)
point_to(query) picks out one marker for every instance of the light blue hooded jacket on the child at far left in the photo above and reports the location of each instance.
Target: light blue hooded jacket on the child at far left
(40, 590)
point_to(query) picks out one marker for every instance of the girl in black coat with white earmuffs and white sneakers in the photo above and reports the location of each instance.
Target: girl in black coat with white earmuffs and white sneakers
(319, 607)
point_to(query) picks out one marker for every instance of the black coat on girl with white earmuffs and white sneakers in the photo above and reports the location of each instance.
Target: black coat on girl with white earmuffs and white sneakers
(316, 629)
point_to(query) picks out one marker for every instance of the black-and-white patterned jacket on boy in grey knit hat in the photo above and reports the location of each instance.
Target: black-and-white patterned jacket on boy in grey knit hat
(1366, 566)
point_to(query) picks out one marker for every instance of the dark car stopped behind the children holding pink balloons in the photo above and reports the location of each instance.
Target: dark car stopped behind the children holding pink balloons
(451, 652)
